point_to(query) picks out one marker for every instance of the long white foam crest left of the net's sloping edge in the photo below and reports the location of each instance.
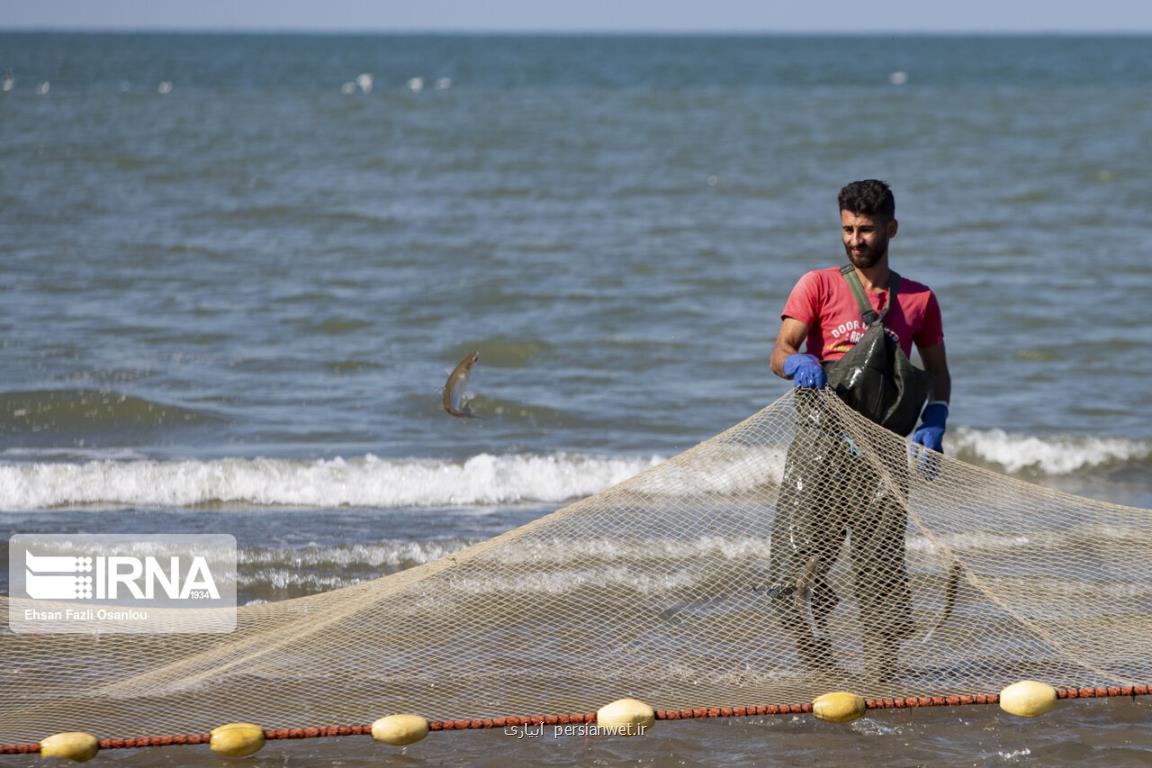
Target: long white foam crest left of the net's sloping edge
(368, 482)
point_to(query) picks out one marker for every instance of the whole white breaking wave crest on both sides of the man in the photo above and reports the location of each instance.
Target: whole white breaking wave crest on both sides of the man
(113, 478)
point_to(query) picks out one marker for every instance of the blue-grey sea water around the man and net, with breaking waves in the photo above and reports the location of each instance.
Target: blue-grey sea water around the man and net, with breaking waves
(239, 269)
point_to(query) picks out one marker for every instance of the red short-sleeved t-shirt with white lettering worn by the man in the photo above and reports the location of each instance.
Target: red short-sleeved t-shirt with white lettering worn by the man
(823, 301)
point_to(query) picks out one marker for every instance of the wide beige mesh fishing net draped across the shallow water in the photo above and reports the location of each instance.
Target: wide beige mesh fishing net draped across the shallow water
(799, 552)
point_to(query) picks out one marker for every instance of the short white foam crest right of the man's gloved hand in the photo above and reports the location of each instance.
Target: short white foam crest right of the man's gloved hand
(1059, 455)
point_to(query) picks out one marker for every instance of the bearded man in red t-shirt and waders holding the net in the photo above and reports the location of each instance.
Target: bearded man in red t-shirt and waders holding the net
(859, 323)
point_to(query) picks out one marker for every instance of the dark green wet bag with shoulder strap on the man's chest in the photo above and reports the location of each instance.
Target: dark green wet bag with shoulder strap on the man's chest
(876, 378)
